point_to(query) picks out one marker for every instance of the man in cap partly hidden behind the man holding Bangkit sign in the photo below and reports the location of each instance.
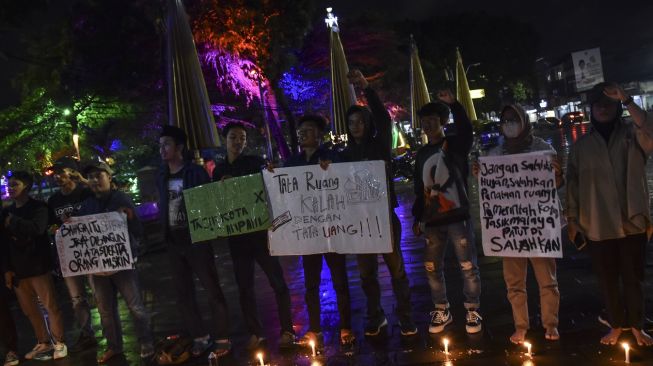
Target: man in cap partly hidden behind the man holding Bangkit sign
(62, 205)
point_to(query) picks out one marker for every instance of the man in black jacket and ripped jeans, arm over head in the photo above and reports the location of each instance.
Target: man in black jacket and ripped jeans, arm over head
(439, 224)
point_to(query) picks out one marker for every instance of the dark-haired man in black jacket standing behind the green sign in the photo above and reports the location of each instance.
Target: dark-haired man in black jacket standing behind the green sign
(247, 249)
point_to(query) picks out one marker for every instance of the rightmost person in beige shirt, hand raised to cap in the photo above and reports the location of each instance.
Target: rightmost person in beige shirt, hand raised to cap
(608, 204)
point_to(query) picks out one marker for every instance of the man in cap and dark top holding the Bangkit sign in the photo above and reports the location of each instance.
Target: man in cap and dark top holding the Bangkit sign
(106, 285)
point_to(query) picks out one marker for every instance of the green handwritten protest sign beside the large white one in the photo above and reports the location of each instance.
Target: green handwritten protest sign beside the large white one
(230, 207)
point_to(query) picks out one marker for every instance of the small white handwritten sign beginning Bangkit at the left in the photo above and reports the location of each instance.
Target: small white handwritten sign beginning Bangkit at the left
(94, 244)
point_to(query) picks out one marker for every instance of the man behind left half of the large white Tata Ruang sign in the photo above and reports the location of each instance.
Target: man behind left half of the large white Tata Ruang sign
(310, 130)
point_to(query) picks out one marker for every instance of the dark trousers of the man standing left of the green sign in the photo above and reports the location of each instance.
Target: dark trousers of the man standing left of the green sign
(187, 260)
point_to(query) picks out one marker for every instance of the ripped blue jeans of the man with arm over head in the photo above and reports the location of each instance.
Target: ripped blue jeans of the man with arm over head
(461, 235)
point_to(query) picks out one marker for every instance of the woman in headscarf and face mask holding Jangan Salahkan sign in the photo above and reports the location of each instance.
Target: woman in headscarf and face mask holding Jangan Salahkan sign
(518, 139)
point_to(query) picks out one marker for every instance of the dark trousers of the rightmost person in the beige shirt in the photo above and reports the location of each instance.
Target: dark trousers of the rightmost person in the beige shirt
(619, 266)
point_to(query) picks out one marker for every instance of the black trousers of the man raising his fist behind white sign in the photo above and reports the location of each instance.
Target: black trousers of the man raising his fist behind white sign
(368, 267)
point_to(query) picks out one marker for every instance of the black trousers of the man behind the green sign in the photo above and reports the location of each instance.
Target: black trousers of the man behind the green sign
(246, 250)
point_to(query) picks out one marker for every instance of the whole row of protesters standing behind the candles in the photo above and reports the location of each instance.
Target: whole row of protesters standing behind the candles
(606, 206)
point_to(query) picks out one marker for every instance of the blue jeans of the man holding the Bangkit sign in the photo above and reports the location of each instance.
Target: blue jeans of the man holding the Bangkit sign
(106, 288)
